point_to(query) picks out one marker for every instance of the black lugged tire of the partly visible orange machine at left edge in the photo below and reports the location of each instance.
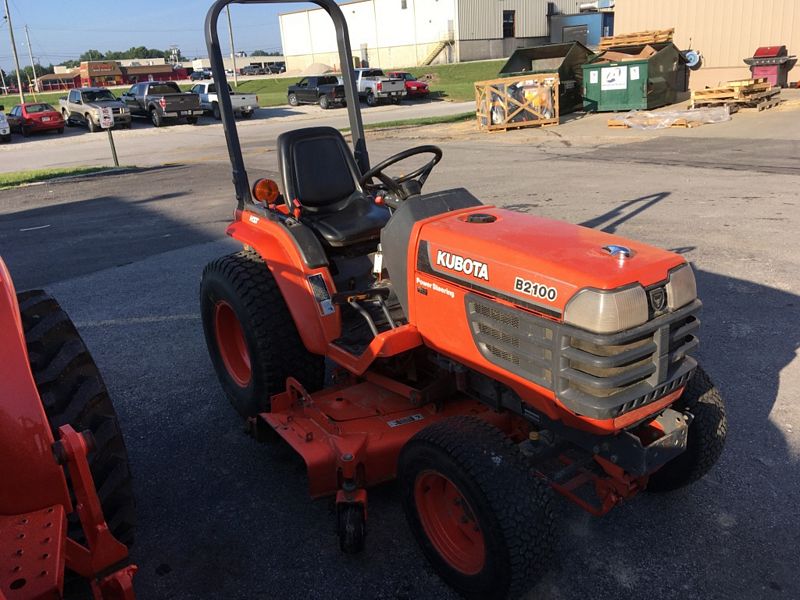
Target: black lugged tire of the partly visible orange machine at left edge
(73, 393)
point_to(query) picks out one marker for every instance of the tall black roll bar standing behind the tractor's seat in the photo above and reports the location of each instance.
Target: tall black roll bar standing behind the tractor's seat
(240, 180)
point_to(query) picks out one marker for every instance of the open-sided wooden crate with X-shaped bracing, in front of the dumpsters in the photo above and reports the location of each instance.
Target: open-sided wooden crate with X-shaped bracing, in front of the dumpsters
(518, 101)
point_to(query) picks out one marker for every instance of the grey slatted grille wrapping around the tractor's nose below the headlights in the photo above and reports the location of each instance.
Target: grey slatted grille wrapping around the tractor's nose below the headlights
(601, 376)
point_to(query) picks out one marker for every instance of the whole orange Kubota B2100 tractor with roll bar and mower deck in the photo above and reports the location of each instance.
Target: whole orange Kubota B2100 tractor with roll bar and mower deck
(482, 356)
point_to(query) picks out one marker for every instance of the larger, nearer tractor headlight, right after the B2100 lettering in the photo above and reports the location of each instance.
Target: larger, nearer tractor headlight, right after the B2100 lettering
(602, 311)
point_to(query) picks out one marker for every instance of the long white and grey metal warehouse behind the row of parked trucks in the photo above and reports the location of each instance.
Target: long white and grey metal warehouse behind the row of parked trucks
(401, 33)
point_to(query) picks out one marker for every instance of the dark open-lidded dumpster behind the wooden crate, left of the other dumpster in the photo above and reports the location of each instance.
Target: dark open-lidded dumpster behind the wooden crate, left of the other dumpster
(565, 59)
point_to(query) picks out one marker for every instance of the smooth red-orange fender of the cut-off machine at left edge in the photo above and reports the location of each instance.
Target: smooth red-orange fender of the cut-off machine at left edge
(31, 478)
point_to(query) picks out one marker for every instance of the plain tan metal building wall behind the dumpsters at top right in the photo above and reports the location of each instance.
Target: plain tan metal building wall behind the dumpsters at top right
(723, 31)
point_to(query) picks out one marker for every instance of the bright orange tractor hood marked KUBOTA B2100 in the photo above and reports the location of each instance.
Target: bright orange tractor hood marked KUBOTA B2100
(533, 261)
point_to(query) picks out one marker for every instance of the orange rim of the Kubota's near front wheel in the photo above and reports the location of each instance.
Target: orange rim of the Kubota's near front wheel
(449, 522)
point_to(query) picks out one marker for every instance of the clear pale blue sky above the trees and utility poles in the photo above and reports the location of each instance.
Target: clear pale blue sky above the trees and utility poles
(62, 29)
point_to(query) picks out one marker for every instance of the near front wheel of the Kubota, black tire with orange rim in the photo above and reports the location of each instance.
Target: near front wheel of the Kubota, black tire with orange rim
(485, 522)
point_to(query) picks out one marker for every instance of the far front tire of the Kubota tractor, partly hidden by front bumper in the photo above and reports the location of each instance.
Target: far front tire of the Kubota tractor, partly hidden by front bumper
(706, 437)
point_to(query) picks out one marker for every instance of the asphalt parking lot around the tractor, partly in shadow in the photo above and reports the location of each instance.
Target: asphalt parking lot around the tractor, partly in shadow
(221, 516)
